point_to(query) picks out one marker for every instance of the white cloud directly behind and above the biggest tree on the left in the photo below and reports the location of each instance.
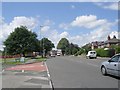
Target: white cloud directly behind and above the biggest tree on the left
(7, 28)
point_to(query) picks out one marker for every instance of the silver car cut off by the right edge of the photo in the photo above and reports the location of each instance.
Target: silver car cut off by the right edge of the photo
(111, 66)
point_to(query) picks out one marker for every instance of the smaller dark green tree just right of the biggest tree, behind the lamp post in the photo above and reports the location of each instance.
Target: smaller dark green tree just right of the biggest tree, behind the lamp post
(46, 45)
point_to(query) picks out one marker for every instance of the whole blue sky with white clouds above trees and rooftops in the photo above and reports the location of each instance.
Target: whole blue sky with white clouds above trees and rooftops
(79, 22)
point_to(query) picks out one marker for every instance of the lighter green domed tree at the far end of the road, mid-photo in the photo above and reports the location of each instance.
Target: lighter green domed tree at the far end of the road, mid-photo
(63, 45)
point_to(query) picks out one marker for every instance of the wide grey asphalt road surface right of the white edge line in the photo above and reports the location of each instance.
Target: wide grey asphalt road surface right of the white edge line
(78, 72)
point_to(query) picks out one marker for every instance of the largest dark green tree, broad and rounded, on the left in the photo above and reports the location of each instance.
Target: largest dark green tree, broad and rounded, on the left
(21, 41)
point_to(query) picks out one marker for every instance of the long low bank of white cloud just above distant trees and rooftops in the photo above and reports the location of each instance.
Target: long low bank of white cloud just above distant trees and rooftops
(97, 34)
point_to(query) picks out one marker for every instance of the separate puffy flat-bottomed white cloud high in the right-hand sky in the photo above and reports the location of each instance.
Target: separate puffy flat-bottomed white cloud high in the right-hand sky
(88, 21)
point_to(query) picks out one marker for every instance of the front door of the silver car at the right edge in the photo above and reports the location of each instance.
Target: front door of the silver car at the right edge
(113, 65)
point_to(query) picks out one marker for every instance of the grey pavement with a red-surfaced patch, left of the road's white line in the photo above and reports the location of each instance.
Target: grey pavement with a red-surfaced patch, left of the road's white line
(30, 75)
